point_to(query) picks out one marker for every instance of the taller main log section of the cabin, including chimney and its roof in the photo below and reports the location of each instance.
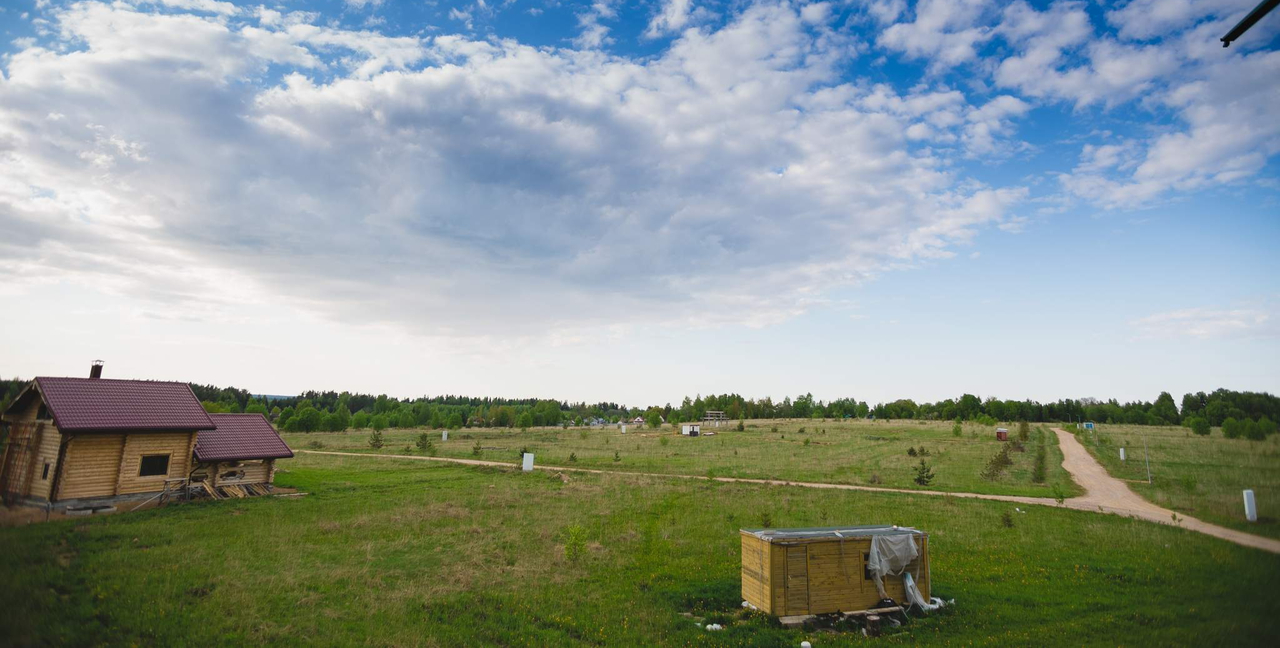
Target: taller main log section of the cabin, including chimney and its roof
(75, 439)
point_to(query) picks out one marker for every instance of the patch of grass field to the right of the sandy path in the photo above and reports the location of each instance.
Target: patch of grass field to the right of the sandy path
(1203, 477)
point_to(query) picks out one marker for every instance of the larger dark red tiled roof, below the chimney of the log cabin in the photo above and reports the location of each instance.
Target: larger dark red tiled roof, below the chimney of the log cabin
(106, 405)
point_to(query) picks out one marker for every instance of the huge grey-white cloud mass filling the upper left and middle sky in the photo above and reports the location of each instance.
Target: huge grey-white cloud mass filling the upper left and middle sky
(445, 186)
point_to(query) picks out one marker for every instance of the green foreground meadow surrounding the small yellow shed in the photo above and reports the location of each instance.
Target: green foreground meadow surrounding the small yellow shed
(408, 553)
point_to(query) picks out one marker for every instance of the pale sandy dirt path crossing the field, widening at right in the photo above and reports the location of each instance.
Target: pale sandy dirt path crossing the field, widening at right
(1103, 492)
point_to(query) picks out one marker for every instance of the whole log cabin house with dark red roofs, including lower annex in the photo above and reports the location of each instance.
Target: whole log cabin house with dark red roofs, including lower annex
(71, 440)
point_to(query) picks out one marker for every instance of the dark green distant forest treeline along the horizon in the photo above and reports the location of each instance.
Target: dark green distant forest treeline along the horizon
(1245, 414)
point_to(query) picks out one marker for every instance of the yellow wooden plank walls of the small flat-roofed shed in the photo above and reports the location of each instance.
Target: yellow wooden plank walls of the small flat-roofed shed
(820, 576)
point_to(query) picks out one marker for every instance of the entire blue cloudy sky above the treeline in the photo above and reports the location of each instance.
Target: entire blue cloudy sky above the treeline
(638, 200)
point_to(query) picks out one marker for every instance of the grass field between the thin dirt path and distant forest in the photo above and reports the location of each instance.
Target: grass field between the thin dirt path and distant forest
(838, 451)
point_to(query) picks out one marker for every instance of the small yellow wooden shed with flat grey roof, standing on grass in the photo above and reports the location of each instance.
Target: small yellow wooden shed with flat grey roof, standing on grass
(825, 571)
